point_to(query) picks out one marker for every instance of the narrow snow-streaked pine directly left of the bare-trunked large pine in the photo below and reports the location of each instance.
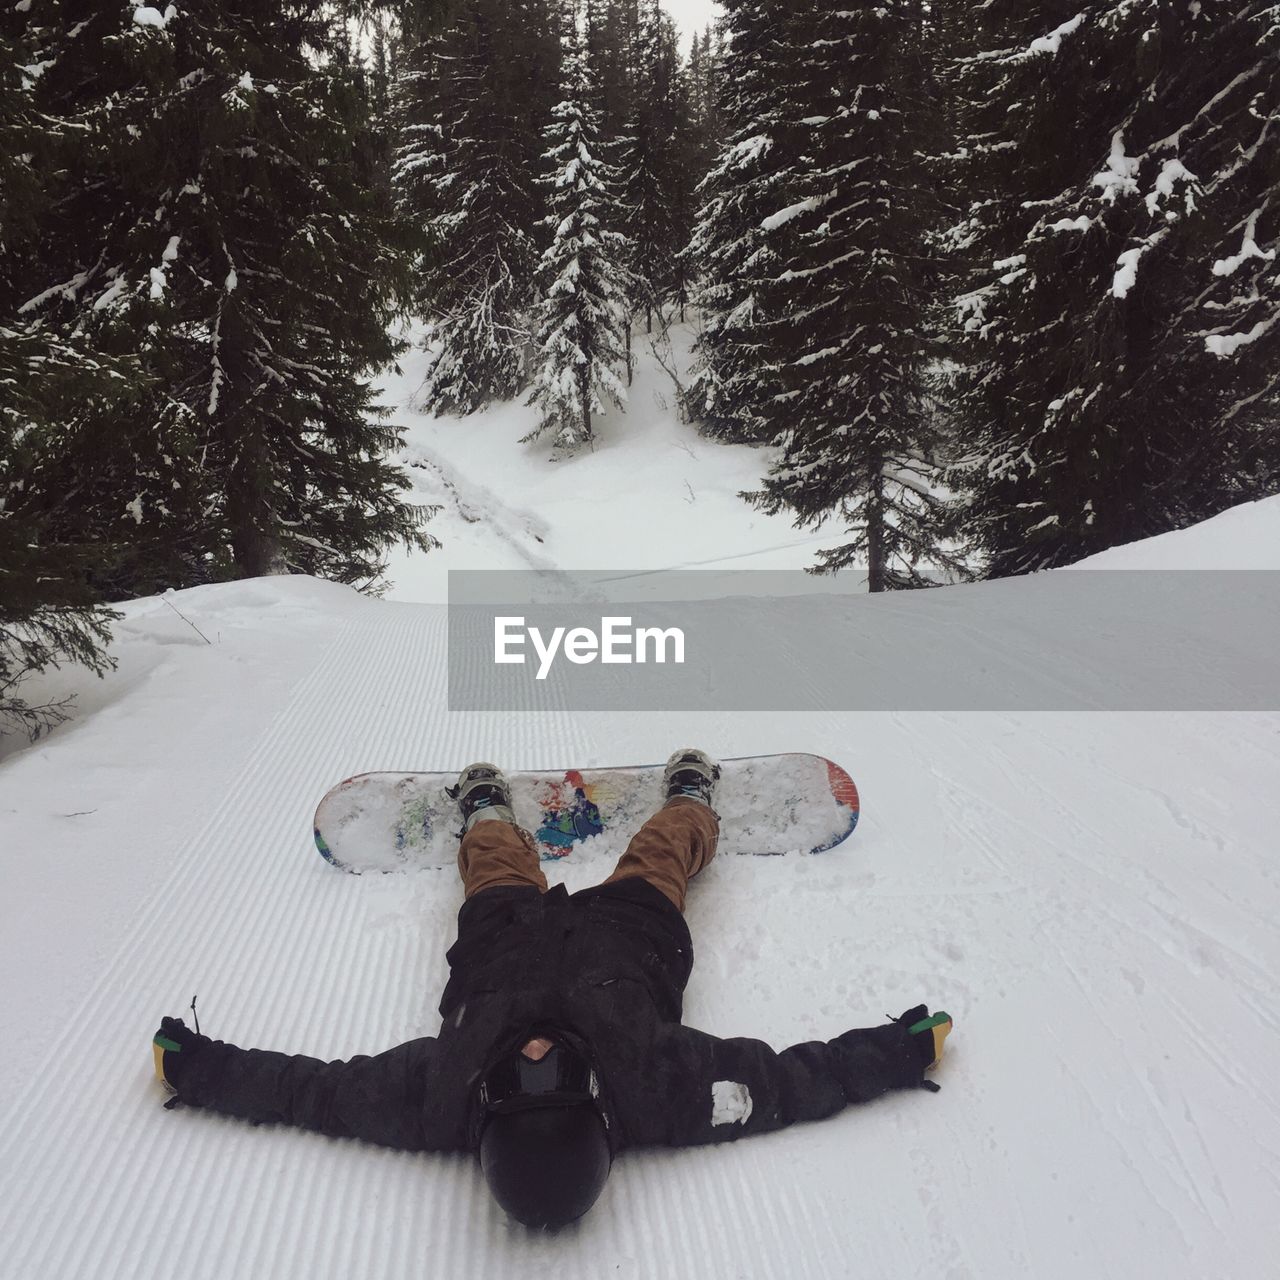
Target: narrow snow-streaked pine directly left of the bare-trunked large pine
(730, 250)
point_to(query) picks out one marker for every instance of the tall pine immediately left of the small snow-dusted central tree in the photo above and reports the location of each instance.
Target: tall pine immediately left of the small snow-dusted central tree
(468, 166)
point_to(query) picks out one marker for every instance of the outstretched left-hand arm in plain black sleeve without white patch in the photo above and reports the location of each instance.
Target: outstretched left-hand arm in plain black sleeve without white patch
(376, 1099)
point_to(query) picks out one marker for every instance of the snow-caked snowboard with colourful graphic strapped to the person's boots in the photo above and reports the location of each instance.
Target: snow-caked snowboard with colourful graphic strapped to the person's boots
(769, 804)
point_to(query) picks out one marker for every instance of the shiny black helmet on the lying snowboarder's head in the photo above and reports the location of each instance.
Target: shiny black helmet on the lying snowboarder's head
(545, 1148)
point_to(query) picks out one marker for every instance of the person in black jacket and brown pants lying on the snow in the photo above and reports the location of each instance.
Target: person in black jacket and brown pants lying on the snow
(561, 1041)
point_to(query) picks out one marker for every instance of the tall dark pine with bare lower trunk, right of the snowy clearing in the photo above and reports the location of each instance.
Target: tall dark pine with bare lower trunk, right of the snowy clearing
(847, 309)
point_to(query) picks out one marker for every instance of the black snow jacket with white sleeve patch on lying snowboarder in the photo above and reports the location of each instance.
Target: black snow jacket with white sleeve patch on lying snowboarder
(606, 970)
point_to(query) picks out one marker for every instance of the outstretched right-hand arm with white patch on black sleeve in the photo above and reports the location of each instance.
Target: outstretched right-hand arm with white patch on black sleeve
(723, 1090)
